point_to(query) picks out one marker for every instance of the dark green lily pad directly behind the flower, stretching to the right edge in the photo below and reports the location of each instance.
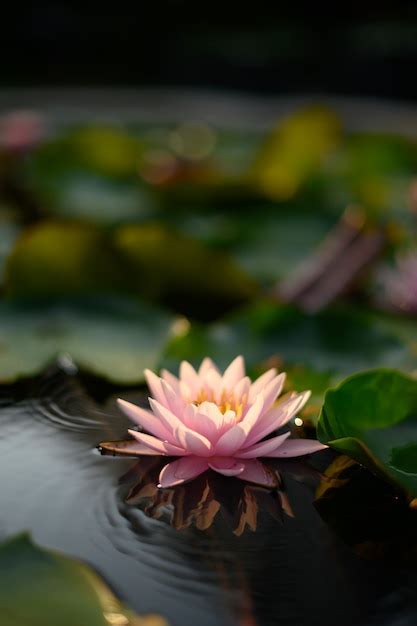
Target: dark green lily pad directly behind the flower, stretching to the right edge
(317, 350)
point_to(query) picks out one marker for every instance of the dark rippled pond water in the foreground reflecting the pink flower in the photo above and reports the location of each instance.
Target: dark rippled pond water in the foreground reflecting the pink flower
(216, 552)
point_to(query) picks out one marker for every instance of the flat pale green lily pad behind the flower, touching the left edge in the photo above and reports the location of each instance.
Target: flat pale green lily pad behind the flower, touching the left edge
(113, 338)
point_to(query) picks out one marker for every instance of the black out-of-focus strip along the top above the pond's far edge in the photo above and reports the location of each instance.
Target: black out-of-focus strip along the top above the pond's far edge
(367, 49)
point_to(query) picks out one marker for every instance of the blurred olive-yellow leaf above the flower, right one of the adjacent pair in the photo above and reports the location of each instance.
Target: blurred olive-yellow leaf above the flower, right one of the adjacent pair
(182, 272)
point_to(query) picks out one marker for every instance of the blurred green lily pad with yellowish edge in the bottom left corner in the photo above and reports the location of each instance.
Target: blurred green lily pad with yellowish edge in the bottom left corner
(44, 588)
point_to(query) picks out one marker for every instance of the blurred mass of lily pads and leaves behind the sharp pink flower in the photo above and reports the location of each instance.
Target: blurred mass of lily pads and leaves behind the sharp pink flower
(134, 245)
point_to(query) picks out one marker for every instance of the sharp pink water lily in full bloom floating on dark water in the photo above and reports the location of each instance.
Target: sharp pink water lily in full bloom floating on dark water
(216, 421)
